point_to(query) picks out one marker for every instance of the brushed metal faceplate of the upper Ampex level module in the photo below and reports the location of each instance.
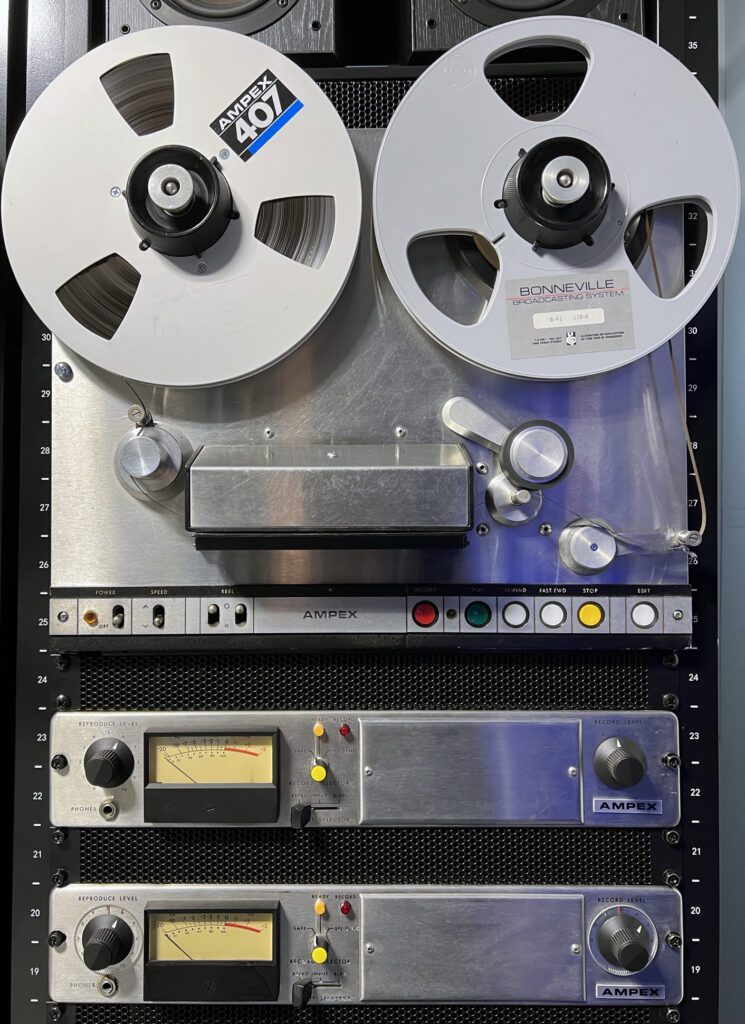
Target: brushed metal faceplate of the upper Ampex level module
(399, 769)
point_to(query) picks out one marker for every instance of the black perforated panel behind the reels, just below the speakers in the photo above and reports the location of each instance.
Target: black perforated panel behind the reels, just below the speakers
(371, 103)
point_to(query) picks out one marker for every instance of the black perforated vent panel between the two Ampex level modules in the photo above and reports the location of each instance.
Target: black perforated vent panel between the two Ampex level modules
(373, 857)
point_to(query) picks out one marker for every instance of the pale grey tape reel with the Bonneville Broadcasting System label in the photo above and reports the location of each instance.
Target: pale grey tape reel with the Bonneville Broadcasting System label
(523, 245)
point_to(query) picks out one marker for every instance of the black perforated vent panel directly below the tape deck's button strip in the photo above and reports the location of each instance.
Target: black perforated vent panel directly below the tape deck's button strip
(366, 680)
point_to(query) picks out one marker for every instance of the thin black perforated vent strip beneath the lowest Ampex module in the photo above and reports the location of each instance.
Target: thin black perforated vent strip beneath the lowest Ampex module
(365, 1015)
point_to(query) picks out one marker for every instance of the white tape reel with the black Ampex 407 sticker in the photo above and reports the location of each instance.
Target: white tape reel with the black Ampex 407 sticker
(183, 206)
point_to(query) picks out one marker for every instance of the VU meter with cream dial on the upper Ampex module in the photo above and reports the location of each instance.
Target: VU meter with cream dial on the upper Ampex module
(212, 779)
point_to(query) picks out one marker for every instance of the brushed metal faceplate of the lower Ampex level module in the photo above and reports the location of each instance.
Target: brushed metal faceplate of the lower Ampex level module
(405, 945)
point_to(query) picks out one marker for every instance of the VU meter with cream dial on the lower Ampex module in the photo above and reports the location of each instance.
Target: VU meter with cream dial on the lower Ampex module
(213, 956)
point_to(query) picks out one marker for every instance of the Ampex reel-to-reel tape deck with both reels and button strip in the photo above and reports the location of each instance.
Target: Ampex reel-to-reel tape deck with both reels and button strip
(477, 399)
